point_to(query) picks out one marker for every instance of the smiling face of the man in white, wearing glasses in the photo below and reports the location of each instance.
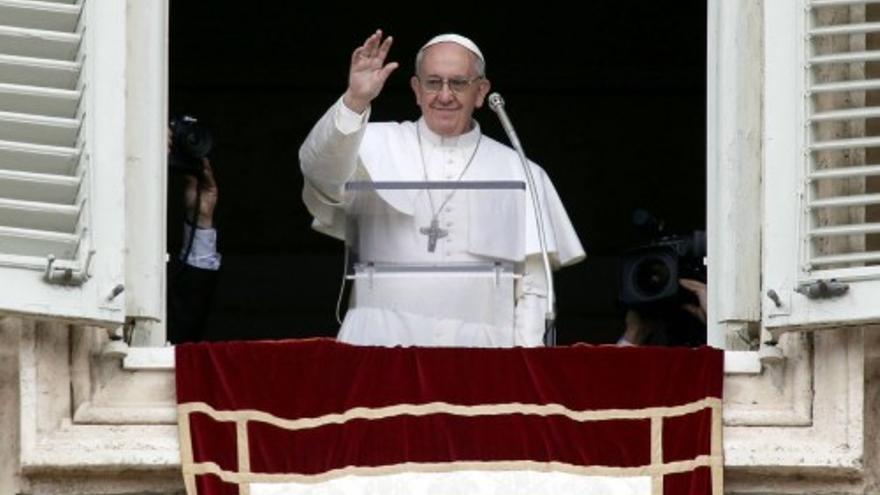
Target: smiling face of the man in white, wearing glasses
(447, 107)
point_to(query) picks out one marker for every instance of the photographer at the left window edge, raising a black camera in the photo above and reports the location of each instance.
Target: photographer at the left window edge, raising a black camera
(192, 276)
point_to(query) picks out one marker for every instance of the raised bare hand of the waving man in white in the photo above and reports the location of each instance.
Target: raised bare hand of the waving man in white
(368, 72)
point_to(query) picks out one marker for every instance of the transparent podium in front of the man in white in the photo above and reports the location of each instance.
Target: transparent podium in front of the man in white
(436, 256)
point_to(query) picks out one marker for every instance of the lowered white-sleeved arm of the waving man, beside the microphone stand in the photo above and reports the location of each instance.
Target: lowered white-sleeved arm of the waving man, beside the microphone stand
(531, 304)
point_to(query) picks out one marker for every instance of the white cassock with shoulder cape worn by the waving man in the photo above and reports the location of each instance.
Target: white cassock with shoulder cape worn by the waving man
(343, 147)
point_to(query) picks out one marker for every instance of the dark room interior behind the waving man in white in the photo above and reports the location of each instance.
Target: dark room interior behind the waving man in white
(611, 101)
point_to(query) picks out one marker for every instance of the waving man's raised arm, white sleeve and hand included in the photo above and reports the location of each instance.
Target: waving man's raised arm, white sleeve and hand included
(328, 157)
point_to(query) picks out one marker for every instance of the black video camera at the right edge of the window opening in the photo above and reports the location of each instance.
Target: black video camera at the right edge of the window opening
(650, 273)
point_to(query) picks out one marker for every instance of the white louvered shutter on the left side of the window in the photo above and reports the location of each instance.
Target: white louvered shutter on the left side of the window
(62, 158)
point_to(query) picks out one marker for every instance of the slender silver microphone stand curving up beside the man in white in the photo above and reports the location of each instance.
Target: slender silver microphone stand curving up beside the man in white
(496, 103)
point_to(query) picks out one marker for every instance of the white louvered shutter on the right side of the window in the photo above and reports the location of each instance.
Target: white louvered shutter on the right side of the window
(822, 163)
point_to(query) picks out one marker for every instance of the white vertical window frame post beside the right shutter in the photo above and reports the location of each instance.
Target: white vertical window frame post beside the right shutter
(734, 166)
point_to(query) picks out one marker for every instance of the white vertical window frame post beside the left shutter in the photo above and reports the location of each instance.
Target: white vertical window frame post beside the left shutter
(146, 169)
